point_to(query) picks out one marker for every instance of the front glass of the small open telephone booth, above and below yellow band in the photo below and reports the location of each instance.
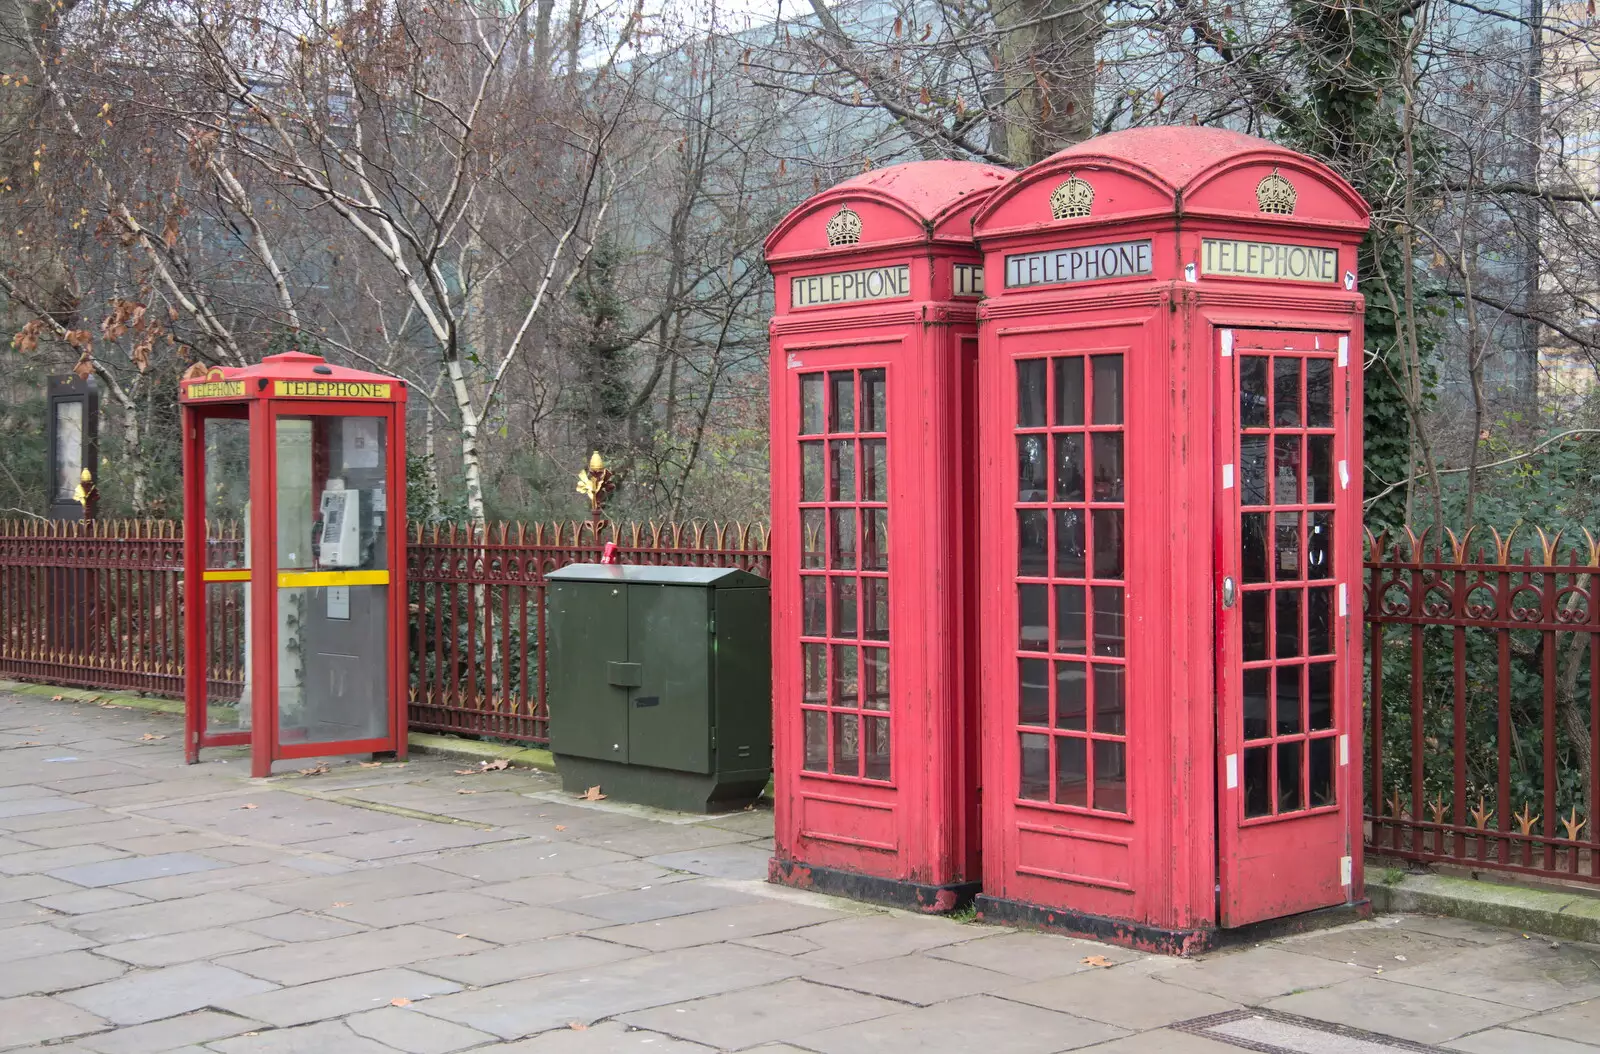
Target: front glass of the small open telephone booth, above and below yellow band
(334, 641)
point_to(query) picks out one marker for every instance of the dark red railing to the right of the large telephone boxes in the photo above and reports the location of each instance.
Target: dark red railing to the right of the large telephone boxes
(1484, 701)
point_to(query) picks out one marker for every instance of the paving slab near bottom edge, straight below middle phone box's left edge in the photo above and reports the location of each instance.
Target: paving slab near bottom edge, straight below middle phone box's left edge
(742, 1020)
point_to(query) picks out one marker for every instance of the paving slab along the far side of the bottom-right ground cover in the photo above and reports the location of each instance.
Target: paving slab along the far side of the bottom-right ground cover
(1396, 1010)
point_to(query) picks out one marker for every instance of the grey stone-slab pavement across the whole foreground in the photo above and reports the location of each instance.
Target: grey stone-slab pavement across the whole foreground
(150, 906)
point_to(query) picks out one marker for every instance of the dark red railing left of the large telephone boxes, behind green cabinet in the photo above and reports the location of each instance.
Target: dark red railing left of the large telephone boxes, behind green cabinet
(478, 609)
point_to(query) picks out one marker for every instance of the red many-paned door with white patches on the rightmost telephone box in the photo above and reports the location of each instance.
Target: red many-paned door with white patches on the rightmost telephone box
(1286, 509)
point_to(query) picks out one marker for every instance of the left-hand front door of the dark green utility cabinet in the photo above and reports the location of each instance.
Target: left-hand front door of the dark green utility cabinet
(586, 649)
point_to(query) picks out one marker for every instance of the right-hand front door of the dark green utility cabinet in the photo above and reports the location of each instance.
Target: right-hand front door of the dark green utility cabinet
(670, 713)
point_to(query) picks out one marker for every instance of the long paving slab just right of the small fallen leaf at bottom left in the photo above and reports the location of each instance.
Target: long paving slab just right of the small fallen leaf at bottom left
(521, 1008)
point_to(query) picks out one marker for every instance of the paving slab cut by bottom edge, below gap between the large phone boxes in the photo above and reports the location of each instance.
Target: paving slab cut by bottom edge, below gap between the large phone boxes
(977, 1023)
